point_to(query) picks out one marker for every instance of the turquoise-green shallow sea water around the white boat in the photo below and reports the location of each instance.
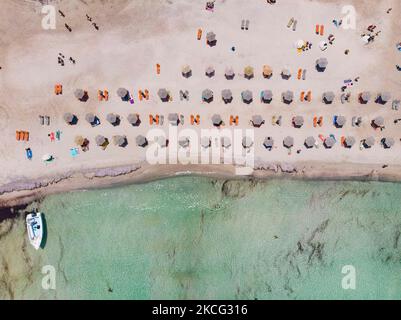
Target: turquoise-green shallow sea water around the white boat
(199, 238)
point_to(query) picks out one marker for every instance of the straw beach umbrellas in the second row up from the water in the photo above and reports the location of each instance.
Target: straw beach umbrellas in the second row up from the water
(174, 119)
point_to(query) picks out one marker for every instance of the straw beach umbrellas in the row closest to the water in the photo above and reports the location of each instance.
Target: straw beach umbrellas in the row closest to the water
(247, 142)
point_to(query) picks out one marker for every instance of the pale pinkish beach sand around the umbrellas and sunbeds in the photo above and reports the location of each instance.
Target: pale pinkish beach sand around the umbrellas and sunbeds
(135, 35)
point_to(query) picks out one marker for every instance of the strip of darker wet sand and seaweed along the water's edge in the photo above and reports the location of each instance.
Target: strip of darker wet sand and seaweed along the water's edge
(23, 192)
